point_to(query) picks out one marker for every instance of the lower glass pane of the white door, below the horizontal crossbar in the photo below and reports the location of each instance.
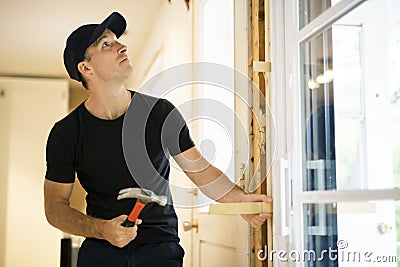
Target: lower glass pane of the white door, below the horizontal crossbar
(351, 234)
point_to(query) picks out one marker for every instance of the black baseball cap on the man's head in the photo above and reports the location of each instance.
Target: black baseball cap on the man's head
(84, 36)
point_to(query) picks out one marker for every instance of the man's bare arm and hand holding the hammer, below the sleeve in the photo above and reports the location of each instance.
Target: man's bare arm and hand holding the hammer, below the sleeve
(61, 215)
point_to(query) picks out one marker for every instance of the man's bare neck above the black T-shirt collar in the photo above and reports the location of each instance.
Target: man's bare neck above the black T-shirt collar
(108, 103)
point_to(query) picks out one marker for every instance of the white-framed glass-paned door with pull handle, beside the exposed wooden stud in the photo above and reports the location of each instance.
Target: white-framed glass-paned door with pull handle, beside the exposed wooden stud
(343, 83)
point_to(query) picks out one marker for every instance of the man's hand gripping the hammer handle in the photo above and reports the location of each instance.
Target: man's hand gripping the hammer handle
(117, 234)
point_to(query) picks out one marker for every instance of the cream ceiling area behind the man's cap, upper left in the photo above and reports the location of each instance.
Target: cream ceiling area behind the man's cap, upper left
(33, 32)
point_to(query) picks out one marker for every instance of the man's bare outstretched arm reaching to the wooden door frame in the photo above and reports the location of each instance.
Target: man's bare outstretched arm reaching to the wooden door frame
(216, 185)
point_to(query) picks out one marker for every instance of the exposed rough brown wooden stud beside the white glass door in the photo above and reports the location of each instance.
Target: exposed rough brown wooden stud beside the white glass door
(262, 131)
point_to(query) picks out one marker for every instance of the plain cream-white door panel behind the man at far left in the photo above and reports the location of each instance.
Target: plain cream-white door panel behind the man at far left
(29, 108)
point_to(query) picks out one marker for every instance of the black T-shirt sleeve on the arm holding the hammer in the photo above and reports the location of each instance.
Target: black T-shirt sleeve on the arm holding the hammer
(59, 158)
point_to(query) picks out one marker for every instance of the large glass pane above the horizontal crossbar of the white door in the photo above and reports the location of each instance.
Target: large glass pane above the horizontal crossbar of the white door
(350, 82)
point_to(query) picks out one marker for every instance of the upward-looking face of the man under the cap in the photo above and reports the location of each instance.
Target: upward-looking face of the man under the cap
(108, 59)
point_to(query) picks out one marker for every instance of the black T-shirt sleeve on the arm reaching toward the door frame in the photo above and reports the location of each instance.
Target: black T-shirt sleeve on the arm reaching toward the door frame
(175, 133)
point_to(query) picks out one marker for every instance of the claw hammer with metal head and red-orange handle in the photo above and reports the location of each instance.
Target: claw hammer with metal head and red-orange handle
(143, 197)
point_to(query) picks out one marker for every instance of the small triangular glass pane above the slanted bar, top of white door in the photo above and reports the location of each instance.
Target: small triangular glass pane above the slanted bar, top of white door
(310, 9)
